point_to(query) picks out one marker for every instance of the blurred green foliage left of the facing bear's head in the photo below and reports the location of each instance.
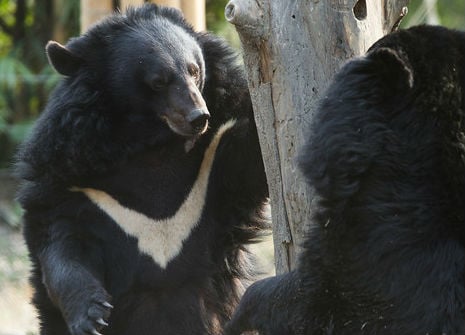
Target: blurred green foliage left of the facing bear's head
(25, 76)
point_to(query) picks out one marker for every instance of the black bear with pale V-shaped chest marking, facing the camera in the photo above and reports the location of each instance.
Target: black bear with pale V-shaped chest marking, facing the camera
(142, 181)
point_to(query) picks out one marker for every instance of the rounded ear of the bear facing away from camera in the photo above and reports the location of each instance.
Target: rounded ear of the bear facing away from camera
(395, 66)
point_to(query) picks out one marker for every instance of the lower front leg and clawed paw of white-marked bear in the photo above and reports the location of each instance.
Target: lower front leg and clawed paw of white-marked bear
(73, 286)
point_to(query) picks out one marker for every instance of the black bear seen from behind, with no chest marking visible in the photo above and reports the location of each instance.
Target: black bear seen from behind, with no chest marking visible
(386, 251)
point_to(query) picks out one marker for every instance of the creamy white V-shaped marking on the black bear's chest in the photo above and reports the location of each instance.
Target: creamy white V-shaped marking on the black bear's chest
(163, 239)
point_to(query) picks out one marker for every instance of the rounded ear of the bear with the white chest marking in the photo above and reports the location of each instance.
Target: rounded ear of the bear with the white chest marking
(62, 59)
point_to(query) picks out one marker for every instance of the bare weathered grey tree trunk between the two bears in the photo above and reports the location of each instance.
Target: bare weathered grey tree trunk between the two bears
(291, 51)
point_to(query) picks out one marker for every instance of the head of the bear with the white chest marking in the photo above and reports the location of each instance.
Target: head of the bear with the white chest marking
(145, 67)
